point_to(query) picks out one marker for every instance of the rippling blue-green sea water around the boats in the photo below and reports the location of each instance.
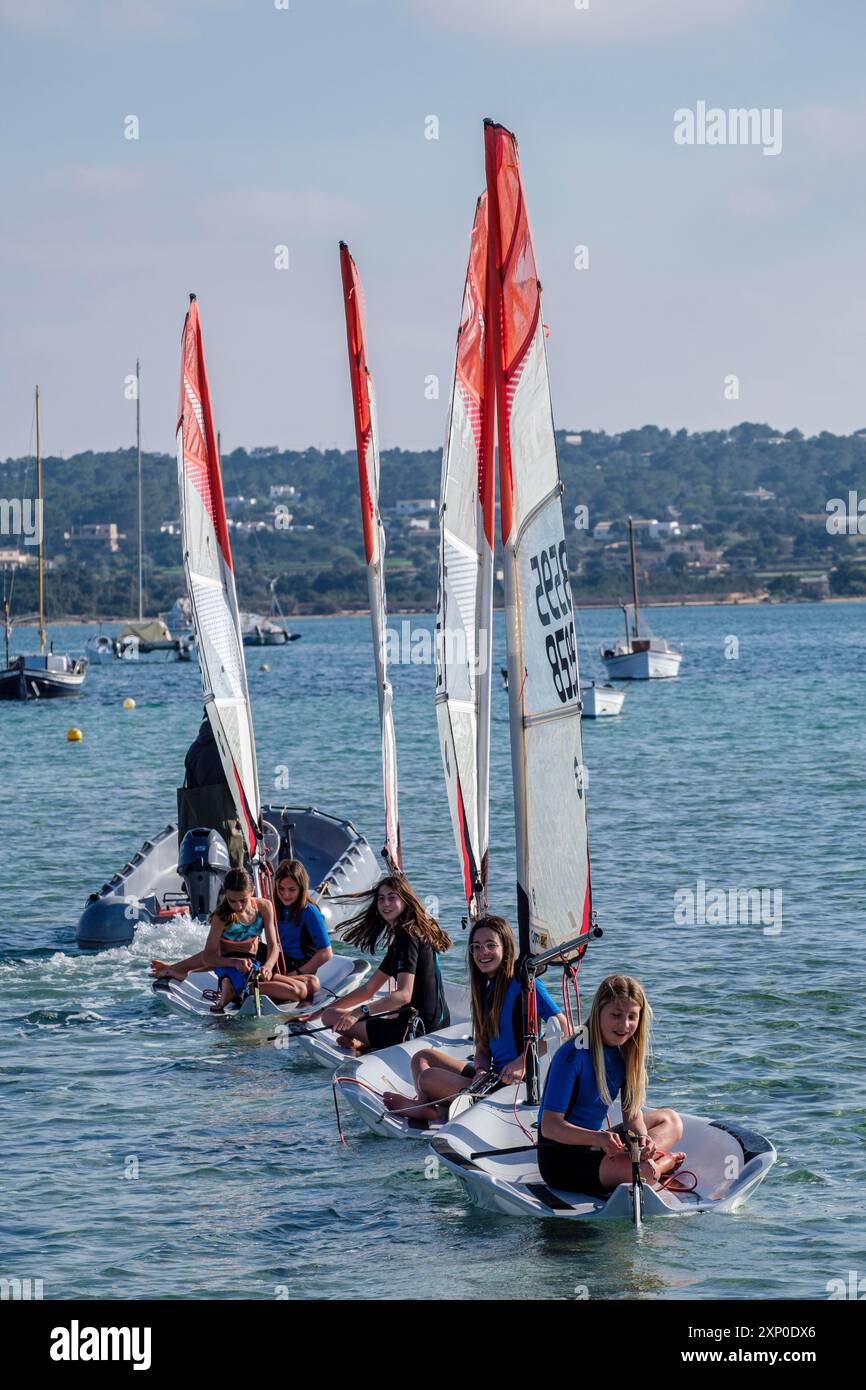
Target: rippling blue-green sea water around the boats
(747, 772)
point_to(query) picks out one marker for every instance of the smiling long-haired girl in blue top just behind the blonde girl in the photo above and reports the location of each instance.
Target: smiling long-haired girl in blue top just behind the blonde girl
(497, 1028)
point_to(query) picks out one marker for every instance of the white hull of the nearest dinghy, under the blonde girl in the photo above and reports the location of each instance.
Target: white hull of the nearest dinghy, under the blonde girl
(512, 1185)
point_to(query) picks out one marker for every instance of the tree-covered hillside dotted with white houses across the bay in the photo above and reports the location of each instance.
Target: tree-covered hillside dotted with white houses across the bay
(739, 512)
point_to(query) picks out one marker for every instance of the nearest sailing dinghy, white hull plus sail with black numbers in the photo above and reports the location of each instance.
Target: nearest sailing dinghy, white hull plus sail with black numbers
(491, 1146)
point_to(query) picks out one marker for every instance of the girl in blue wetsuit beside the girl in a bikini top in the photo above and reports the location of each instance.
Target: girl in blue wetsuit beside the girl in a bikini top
(304, 939)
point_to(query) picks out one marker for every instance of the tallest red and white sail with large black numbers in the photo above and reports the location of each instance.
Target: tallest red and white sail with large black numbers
(554, 896)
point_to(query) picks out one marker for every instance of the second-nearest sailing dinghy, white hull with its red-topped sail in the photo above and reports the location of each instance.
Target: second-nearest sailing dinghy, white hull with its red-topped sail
(464, 679)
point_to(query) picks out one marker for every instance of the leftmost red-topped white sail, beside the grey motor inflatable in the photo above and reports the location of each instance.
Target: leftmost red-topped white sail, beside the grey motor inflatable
(211, 580)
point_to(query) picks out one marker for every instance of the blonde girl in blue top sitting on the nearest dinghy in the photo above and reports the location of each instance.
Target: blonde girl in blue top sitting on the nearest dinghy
(576, 1152)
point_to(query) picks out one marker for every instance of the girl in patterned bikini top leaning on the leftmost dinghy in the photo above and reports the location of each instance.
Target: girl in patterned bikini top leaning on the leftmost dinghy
(237, 926)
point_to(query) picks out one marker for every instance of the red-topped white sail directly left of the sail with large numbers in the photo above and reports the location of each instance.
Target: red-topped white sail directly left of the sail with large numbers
(466, 578)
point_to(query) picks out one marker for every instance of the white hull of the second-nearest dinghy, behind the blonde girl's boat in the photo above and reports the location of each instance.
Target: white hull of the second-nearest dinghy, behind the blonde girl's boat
(363, 1084)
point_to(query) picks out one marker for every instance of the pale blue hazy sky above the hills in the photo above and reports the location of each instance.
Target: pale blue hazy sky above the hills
(298, 123)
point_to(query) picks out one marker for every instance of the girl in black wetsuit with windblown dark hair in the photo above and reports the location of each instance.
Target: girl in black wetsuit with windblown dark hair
(415, 939)
